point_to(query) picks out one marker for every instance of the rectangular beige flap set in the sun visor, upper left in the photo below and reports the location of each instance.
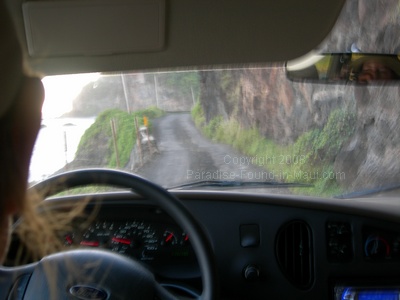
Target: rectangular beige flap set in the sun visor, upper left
(69, 28)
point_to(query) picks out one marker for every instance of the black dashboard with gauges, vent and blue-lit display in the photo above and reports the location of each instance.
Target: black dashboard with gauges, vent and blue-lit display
(265, 246)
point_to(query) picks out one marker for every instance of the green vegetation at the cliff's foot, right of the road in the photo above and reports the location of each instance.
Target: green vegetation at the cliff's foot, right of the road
(308, 160)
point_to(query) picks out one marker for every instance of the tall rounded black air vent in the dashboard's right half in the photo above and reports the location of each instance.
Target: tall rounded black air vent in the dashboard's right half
(294, 253)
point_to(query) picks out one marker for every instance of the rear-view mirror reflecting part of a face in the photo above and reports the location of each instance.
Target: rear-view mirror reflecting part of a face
(344, 68)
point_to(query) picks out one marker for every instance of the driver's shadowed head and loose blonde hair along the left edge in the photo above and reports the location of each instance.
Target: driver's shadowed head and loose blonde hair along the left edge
(40, 232)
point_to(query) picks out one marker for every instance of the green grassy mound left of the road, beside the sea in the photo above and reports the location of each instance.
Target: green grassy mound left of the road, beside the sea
(100, 134)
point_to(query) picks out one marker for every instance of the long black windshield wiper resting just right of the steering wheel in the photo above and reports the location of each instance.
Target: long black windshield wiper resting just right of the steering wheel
(237, 184)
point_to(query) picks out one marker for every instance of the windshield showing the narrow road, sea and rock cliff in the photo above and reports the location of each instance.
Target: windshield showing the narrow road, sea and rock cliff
(223, 126)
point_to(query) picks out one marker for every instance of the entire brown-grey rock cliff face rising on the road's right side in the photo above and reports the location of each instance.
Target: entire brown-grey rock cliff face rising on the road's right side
(282, 110)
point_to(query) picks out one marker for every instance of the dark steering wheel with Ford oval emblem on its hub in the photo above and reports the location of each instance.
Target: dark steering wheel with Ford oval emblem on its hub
(97, 274)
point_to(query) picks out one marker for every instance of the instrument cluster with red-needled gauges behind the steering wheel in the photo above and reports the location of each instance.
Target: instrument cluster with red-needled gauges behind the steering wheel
(150, 242)
